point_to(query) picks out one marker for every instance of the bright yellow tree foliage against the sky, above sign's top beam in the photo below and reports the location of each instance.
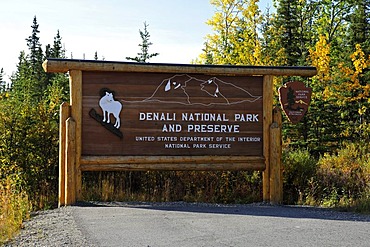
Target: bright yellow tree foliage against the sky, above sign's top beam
(235, 37)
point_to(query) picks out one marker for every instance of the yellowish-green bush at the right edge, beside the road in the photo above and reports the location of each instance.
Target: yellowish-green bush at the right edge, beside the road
(343, 179)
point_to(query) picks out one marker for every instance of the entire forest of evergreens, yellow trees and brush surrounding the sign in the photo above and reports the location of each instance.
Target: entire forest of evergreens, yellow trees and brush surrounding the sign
(326, 157)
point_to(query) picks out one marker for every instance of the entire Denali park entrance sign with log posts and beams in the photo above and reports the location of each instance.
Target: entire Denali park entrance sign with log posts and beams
(134, 116)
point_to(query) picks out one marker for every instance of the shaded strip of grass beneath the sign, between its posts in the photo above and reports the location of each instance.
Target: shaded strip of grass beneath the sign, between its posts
(164, 186)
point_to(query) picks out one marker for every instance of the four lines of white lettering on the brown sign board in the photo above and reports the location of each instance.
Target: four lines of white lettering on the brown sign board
(183, 123)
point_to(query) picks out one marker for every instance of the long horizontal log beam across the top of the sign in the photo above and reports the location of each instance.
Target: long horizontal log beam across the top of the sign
(57, 65)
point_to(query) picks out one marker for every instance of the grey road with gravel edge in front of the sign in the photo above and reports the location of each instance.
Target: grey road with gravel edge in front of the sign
(193, 224)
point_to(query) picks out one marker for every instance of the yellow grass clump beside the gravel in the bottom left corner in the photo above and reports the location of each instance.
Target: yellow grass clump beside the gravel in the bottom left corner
(15, 207)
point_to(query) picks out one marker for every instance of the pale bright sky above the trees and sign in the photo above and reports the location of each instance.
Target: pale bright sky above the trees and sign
(177, 28)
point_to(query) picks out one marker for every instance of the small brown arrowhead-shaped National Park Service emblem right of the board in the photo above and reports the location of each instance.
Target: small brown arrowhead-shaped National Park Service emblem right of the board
(295, 99)
